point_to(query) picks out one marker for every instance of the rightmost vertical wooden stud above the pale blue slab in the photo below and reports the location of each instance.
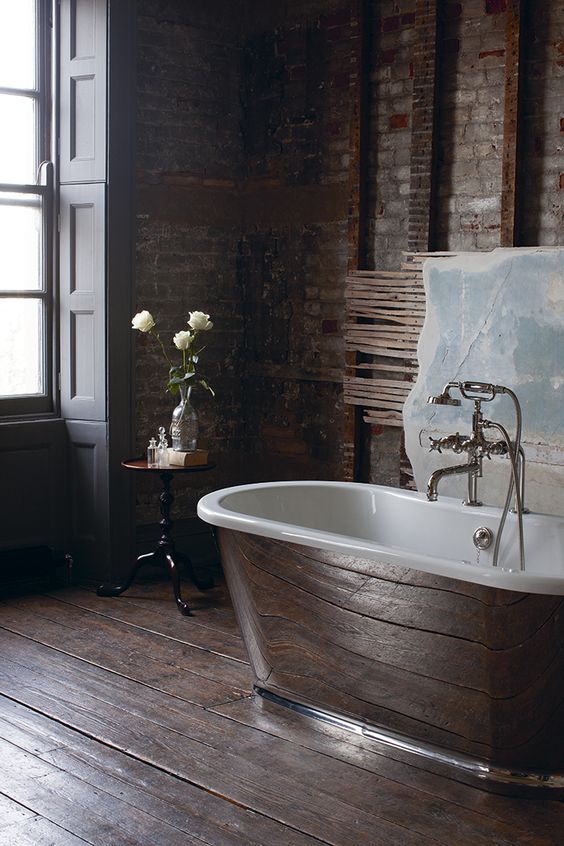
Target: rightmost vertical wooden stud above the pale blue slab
(509, 193)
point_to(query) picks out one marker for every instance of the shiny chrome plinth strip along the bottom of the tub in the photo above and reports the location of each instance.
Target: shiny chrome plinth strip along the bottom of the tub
(455, 765)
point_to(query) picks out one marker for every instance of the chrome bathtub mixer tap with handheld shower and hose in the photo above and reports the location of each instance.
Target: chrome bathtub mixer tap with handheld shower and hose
(477, 447)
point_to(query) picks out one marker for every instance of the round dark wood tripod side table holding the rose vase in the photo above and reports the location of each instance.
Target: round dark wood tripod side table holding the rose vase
(165, 553)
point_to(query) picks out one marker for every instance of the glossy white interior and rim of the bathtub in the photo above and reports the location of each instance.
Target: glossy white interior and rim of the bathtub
(396, 526)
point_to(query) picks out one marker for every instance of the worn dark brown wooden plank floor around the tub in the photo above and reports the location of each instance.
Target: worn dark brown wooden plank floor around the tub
(122, 722)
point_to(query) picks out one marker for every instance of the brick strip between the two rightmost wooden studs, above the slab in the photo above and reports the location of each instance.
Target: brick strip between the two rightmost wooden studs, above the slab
(472, 50)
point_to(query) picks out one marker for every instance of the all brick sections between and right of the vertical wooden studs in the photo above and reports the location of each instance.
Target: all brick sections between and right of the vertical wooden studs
(470, 92)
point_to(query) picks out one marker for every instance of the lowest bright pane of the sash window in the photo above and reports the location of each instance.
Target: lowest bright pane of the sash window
(21, 347)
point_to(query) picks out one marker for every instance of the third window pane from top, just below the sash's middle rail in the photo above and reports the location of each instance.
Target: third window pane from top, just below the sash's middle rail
(20, 246)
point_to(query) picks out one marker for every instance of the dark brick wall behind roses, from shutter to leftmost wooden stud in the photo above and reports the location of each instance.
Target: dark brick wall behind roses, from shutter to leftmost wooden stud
(242, 212)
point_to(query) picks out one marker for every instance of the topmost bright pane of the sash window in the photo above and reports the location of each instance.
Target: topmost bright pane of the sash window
(17, 43)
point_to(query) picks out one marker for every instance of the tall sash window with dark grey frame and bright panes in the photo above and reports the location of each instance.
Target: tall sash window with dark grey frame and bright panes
(26, 209)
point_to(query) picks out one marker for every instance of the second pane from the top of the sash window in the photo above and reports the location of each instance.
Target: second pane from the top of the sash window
(17, 139)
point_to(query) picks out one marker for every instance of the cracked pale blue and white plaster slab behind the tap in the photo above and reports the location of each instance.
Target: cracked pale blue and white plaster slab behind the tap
(494, 317)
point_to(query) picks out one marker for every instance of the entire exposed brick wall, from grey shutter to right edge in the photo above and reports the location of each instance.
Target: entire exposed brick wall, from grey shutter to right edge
(244, 197)
